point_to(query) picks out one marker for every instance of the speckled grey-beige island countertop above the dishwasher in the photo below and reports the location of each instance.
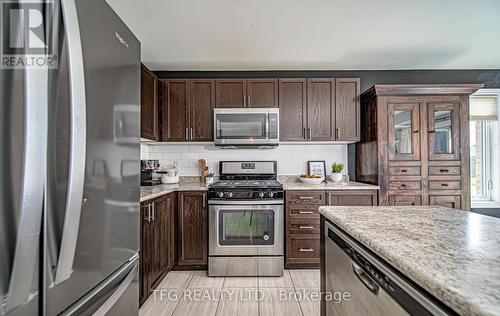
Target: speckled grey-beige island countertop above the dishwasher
(453, 254)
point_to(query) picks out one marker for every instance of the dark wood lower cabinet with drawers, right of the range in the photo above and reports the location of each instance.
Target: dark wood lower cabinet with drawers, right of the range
(302, 233)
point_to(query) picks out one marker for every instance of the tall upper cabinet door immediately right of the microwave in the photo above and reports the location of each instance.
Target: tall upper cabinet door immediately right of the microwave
(293, 109)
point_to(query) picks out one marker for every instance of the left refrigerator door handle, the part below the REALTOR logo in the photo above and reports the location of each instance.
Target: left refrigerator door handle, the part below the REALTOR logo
(33, 180)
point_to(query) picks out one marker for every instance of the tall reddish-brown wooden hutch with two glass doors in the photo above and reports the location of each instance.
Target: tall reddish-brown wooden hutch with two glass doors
(415, 144)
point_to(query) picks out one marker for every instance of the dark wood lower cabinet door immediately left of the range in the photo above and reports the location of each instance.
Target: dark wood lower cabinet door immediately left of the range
(192, 229)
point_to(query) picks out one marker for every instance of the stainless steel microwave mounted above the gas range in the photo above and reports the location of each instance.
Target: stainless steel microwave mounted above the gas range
(246, 127)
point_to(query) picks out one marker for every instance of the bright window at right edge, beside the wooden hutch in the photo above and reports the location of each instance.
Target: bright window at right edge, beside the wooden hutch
(484, 149)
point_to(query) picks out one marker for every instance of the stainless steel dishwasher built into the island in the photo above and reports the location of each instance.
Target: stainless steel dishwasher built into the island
(374, 287)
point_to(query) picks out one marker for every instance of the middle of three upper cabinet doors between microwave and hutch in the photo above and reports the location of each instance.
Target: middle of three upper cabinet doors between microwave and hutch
(321, 109)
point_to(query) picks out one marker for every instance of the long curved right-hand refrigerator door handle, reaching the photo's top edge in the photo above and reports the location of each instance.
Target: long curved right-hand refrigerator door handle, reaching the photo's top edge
(78, 141)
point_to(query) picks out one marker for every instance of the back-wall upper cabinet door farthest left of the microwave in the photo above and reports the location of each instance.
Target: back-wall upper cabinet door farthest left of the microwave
(175, 104)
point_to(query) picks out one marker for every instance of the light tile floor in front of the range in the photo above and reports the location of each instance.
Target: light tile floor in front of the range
(184, 293)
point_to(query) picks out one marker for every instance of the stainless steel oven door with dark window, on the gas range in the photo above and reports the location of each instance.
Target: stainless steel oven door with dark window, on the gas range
(244, 229)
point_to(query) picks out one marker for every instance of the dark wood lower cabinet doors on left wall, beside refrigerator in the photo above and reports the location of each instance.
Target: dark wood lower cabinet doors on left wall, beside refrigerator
(157, 253)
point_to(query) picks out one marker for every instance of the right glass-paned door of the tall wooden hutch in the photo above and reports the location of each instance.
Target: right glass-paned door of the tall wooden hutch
(443, 128)
